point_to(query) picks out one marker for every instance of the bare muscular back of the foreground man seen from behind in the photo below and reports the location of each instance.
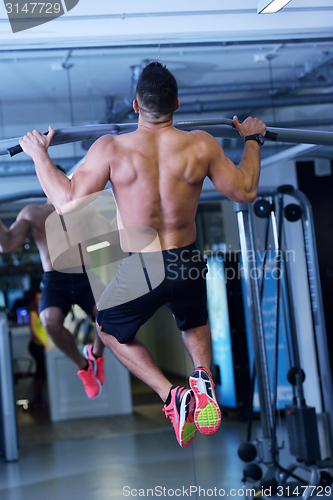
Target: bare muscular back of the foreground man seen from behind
(157, 177)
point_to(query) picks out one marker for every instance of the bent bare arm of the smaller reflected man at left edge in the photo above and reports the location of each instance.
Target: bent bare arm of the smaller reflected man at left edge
(16, 235)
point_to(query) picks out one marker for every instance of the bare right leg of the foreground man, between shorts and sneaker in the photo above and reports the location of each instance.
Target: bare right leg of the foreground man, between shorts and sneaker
(198, 343)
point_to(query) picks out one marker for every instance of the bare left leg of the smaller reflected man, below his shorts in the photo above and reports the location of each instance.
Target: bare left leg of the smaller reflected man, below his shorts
(52, 319)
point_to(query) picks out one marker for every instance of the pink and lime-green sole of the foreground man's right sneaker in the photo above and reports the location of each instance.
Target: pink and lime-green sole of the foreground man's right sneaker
(207, 415)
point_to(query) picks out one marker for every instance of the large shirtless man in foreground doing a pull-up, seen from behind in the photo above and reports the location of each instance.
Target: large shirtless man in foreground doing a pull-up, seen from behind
(157, 174)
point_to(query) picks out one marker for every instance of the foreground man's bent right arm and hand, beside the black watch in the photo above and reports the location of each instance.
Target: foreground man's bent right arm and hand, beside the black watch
(239, 184)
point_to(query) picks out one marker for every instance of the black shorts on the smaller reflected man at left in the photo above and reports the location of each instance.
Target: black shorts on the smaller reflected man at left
(64, 290)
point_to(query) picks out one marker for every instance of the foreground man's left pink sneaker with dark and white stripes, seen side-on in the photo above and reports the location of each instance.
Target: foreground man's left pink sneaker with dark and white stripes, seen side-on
(180, 410)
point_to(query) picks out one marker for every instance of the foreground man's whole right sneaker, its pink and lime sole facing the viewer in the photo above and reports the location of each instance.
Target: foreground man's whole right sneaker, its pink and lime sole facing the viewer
(207, 415)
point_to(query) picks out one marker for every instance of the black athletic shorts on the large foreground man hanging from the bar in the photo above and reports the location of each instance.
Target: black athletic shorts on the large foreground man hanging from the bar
(183, 290)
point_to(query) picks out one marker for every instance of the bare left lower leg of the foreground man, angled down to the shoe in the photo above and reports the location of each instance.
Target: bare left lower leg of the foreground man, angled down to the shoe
(136, 357)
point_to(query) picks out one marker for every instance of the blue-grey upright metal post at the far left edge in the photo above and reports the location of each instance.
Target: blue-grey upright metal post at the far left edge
(7, 407)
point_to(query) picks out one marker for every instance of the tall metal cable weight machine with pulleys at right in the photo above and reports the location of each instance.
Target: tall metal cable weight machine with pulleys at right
(301, 420)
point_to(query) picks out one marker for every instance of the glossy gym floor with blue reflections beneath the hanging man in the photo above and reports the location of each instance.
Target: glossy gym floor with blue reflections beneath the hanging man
(126, 456)
